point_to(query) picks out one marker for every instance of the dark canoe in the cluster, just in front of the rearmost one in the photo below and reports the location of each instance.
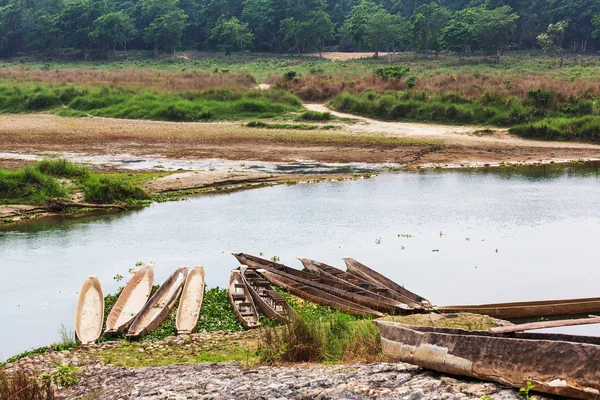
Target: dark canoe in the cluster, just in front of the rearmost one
(380, 293)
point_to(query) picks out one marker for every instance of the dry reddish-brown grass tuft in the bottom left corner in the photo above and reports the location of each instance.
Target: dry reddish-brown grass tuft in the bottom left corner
(22, 385)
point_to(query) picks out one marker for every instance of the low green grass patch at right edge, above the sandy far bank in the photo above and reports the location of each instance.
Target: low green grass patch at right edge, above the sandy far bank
(585, 129)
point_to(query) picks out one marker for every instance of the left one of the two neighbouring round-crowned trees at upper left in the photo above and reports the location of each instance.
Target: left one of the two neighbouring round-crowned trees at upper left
(112, 29)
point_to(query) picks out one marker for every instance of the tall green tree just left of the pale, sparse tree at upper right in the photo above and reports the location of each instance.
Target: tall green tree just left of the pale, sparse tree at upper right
(494, 29)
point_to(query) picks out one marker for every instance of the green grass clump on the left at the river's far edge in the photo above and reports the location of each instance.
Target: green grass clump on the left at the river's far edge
(45, 180)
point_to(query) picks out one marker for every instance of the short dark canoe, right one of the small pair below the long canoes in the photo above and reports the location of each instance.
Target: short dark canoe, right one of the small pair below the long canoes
(269, 301)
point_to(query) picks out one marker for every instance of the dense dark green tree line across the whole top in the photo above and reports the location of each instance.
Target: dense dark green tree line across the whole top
(101, 27)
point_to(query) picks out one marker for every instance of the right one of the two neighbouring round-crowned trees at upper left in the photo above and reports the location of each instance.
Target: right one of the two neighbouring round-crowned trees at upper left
(166, 31)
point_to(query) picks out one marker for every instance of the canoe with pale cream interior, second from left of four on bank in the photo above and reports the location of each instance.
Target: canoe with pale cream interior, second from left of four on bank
(131, 300)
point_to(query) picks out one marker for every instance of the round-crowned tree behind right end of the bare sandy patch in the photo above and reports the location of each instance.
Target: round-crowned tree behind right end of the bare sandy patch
(385, 31)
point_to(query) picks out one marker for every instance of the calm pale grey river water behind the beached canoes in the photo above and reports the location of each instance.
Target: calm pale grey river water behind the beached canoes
(469, 237)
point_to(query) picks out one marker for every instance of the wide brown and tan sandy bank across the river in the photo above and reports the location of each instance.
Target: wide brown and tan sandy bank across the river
(367, 141)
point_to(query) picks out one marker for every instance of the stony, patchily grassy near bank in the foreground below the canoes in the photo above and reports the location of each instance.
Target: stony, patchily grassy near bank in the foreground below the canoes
(222, 365)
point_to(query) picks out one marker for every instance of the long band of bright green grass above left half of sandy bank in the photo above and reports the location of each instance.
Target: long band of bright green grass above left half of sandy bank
(145, 103)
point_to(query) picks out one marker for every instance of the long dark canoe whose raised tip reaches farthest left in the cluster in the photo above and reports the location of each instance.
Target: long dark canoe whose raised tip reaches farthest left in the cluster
(335, 287)
